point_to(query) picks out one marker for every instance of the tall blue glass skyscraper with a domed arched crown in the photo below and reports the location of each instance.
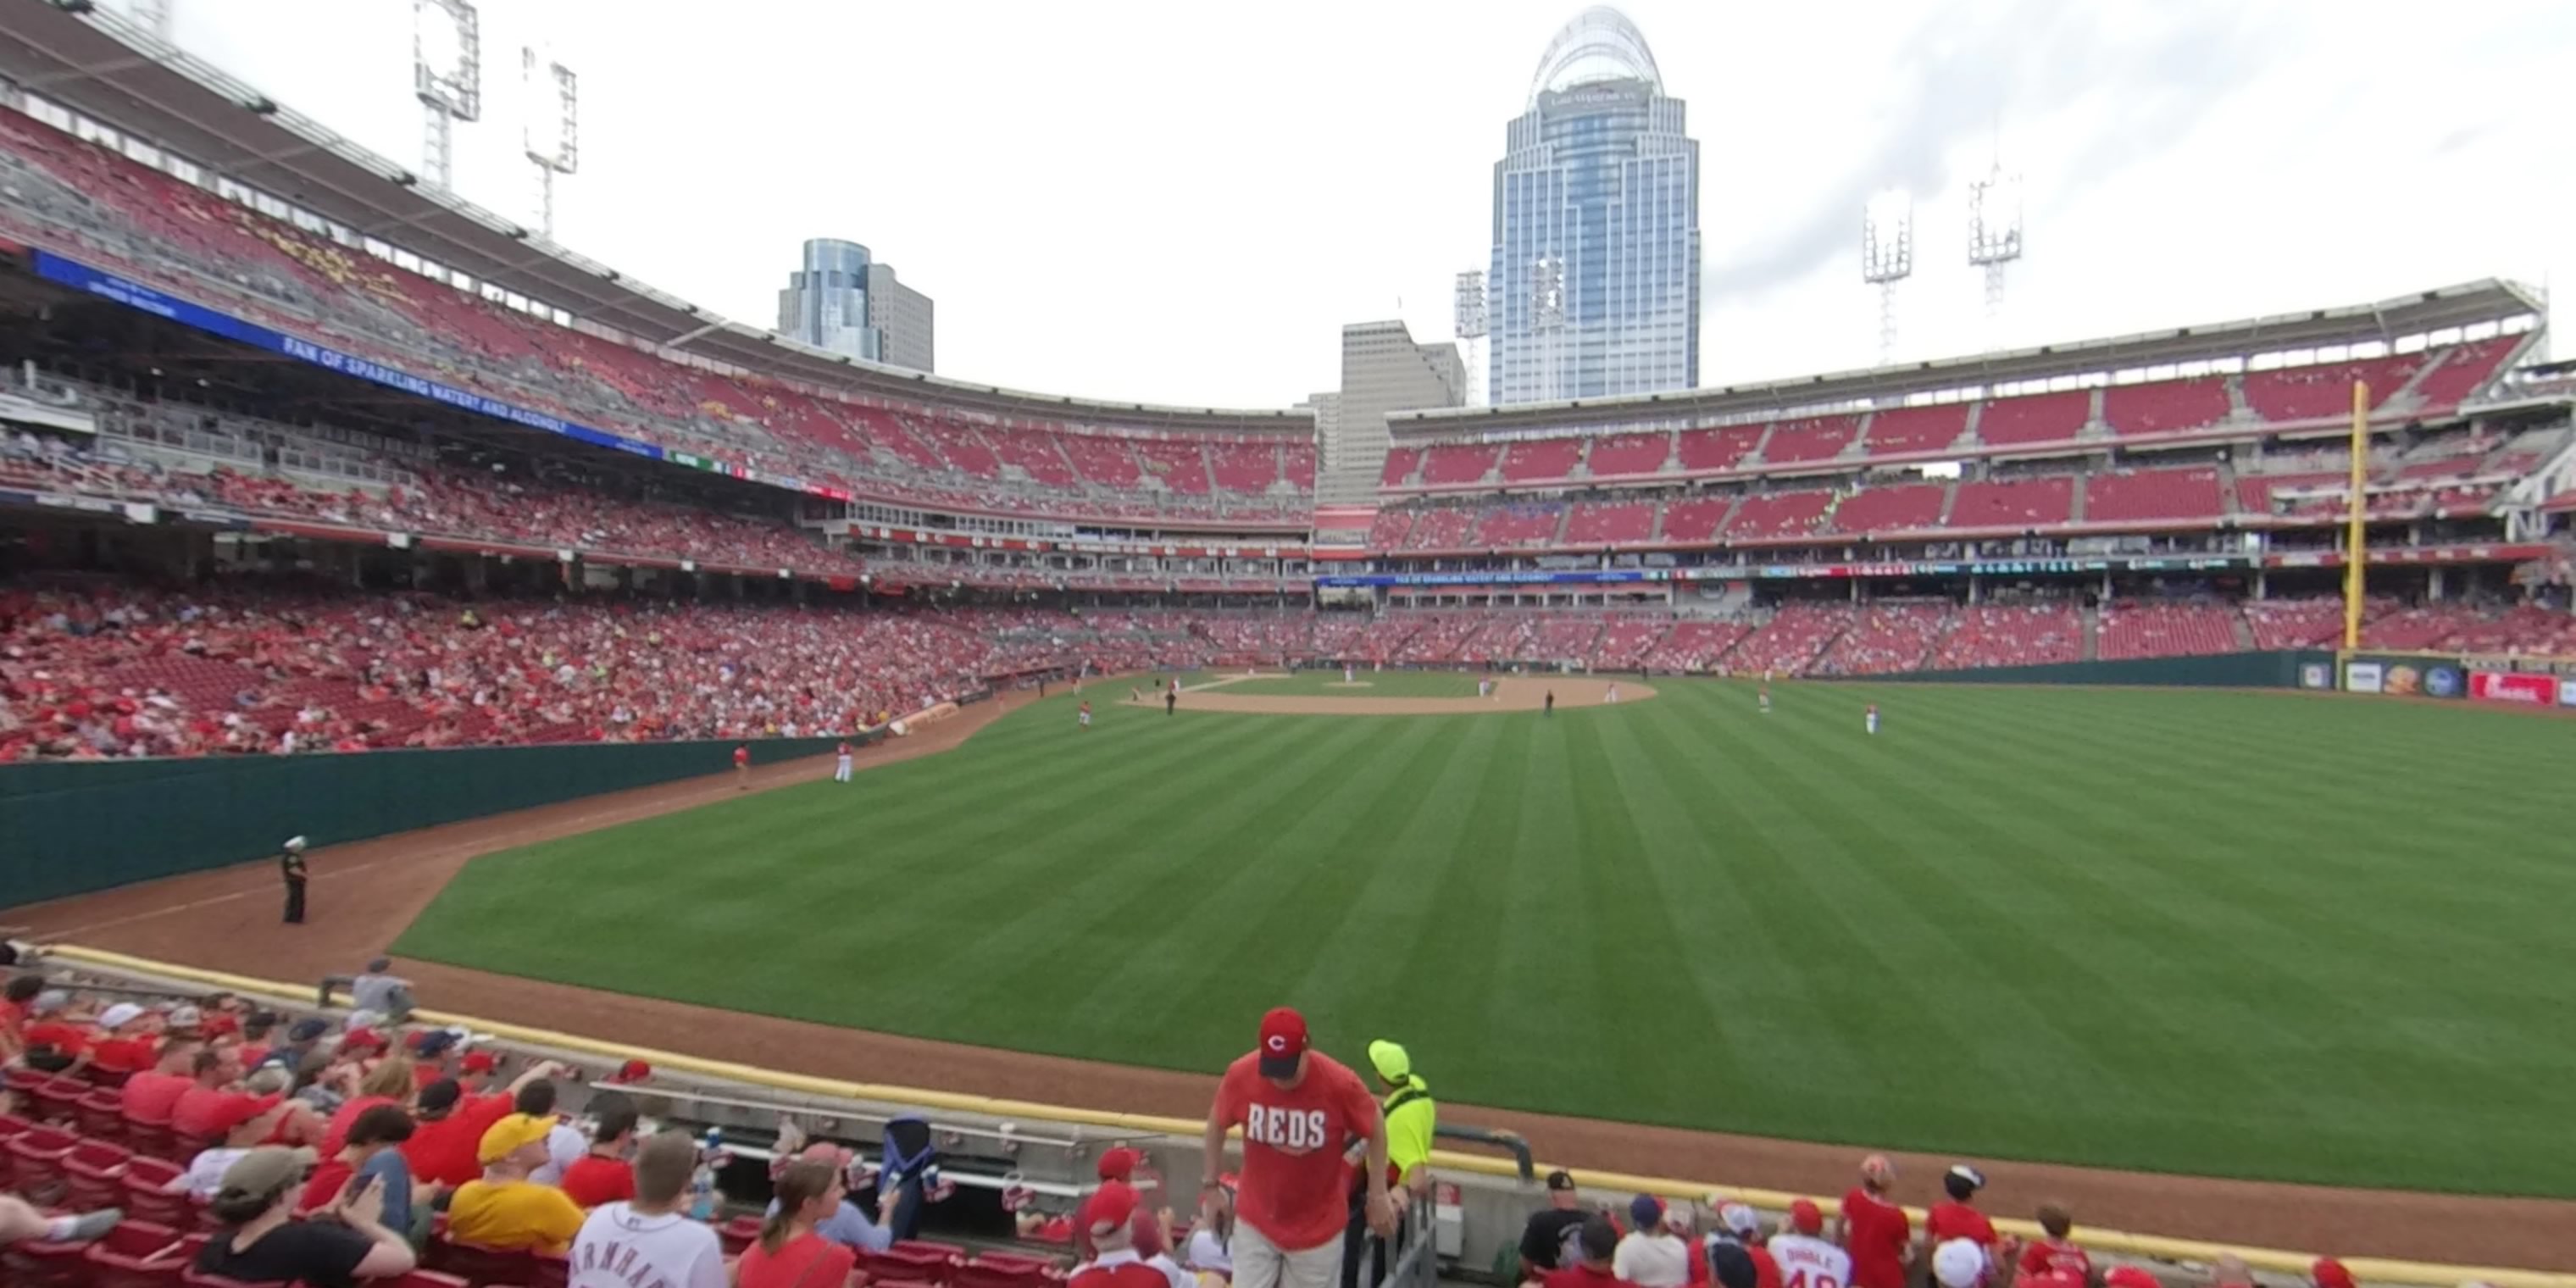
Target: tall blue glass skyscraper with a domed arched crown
(1596, 277)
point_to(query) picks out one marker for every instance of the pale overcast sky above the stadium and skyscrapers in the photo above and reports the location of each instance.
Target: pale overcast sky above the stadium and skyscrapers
(1184, 202)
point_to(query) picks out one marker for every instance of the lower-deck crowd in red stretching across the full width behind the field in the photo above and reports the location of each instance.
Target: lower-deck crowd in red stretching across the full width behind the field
(99, 668)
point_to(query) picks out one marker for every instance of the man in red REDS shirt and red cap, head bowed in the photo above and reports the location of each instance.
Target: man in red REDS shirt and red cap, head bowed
(1300, 1112)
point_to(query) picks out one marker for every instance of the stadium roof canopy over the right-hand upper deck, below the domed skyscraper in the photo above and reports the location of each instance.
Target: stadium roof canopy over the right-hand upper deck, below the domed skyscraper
(2026, 370)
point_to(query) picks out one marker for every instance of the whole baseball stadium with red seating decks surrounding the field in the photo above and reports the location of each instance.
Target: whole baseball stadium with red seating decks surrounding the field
(2124, 772)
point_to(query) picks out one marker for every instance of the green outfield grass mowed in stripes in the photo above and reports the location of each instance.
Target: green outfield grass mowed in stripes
(2227, 934)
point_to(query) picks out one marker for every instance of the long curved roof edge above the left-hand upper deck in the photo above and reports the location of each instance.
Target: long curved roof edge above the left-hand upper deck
(120, 76)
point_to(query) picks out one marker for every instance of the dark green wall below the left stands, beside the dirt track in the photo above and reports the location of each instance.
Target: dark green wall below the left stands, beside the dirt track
(86, 826)
